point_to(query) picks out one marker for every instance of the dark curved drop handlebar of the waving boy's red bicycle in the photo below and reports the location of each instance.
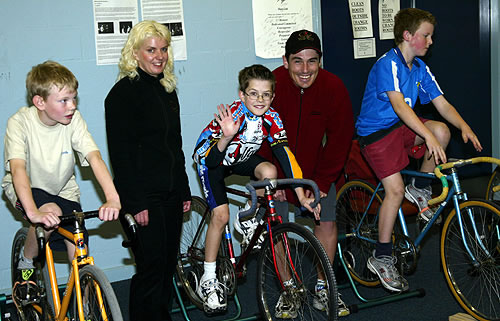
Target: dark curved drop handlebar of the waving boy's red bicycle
(274, 183)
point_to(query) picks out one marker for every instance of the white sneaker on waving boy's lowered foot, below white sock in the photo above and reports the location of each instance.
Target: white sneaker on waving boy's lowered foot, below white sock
(212, 293)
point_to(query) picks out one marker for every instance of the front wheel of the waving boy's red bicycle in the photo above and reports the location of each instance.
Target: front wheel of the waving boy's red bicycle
(306, 257)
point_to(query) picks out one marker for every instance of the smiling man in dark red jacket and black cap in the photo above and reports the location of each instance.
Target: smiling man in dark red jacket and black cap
(316, 111)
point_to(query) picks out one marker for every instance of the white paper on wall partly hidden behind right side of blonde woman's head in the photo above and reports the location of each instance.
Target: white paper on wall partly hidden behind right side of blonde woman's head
(171, 14)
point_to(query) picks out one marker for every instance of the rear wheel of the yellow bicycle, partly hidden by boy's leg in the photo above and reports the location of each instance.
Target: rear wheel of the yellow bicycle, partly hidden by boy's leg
(41, 277)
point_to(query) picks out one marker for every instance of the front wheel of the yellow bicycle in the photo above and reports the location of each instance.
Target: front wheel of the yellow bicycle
(92, 280)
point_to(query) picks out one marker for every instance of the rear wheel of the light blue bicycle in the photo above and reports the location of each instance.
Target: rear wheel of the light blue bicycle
(360, 230)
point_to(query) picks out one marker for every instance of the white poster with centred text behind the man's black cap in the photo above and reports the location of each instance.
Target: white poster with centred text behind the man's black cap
(275, 20)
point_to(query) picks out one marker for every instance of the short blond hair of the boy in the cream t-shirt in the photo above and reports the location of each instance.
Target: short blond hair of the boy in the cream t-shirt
(46, 75)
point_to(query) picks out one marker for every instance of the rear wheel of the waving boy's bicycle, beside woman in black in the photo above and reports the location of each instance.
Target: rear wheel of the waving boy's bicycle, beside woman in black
(192, 248)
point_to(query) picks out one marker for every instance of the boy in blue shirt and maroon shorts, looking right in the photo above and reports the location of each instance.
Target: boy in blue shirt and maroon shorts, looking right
(389, 130)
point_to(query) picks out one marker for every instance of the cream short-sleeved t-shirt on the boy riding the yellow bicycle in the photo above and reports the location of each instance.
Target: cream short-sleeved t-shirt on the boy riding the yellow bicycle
(48, 152)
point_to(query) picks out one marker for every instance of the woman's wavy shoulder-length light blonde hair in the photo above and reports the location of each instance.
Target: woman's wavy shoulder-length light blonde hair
(139, 33)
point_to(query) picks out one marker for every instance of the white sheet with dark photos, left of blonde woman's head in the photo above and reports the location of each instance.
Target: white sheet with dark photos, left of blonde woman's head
(113, 20)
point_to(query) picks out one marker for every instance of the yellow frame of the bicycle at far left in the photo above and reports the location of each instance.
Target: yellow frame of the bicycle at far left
(80, 259)
